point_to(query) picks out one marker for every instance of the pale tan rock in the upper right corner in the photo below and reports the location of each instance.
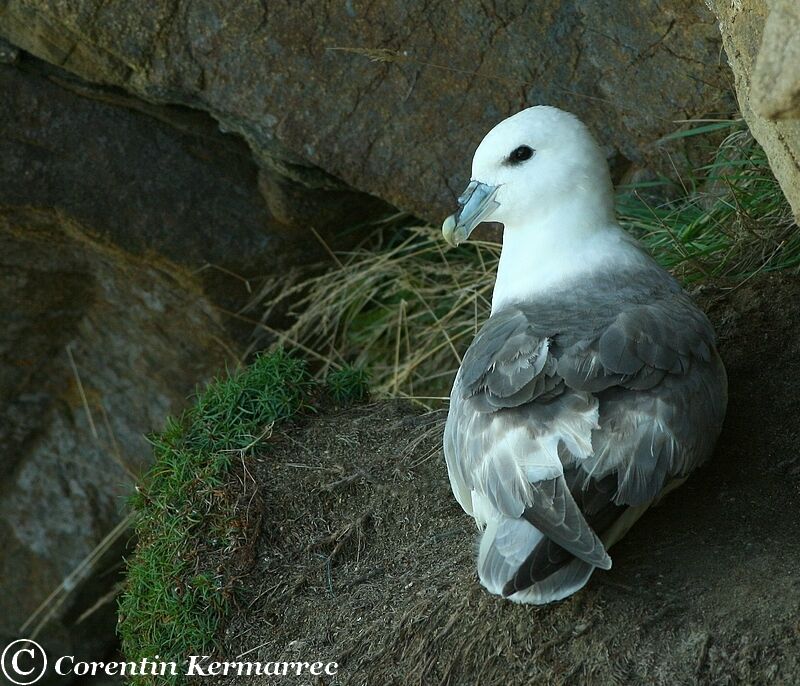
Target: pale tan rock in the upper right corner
(762, 41)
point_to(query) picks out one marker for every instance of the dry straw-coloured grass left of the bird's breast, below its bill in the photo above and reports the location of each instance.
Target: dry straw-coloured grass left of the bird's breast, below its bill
(406, 311)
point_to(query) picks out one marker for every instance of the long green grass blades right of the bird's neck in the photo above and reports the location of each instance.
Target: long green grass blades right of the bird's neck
(729, 219)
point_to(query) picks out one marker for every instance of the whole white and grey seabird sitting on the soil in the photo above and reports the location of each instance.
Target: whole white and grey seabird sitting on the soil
(595, 385)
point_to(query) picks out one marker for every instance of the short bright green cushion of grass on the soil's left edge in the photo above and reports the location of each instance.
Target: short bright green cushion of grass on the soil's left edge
(169, 607)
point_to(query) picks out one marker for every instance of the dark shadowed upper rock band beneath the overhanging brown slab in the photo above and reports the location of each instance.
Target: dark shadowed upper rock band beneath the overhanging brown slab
(158, 181)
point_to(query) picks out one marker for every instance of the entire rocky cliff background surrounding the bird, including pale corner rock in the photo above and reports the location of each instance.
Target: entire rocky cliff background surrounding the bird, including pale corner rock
(158, 159)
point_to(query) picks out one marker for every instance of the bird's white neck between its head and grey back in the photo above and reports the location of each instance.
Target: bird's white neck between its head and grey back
(572, 241)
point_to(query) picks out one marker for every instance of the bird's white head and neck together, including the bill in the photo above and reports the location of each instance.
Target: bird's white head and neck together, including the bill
(542, 175)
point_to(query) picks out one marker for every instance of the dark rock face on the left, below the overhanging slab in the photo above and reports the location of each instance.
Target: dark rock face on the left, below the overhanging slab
(127, 230)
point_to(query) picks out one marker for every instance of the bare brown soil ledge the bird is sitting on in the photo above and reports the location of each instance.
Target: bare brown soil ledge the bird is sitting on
(363, 556)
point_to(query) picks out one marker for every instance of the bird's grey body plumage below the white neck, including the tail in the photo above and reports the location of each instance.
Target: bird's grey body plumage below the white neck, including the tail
(615, 381)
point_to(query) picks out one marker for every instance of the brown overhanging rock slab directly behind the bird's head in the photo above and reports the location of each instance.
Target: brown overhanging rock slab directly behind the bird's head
(297, 82)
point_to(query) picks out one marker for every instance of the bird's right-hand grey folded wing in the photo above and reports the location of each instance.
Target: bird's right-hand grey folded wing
(657, 420)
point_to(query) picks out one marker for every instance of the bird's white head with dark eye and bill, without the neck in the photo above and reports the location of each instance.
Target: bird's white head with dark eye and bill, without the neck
(539, 163)
